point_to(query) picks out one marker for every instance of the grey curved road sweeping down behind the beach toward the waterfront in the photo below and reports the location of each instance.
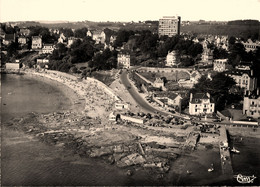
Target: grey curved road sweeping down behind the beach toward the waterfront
(136, 96)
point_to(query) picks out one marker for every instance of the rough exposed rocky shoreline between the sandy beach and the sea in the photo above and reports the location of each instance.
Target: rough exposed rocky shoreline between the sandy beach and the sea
(76, 132)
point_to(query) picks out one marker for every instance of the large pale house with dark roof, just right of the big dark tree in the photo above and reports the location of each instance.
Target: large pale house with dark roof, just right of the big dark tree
(244, 79)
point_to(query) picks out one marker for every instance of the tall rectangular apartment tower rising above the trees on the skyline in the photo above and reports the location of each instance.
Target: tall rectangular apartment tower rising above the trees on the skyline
(169, 25)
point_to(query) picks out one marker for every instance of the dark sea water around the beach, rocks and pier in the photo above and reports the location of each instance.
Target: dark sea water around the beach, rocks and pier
(27, 162)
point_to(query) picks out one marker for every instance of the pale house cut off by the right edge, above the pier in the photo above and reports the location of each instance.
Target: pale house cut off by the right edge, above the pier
(251, 104)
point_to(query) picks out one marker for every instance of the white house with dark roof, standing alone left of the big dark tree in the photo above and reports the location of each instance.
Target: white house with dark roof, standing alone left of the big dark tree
(201, 104)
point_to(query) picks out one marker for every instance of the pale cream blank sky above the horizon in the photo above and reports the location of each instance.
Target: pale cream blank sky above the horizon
(127, 10)
